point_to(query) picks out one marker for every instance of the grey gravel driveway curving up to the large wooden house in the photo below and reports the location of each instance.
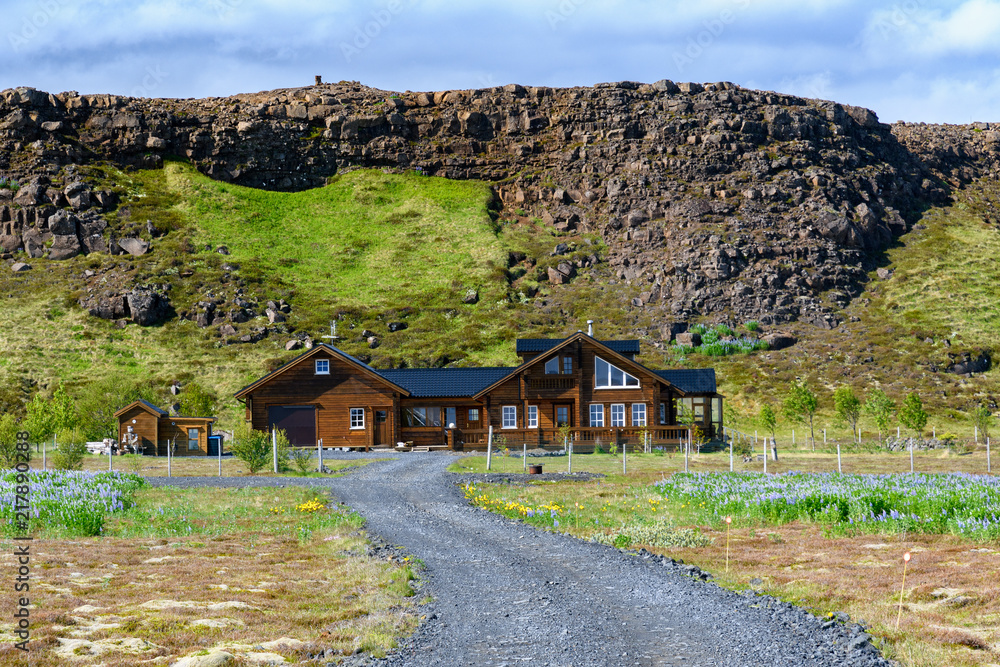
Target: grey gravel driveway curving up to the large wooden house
(508, 594)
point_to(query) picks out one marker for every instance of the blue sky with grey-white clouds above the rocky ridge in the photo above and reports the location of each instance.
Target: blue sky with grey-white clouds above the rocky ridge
(914, 60)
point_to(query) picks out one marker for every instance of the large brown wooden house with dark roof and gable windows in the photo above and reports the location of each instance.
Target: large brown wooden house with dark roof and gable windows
(591, 390)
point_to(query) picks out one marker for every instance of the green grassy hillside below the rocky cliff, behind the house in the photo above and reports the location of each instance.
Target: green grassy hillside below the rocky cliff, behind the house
(372, 248)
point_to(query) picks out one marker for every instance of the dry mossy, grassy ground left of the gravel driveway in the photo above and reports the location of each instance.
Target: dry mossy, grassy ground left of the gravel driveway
(188, 572)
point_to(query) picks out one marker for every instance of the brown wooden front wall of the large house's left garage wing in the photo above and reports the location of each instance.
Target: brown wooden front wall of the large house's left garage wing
(333, 396)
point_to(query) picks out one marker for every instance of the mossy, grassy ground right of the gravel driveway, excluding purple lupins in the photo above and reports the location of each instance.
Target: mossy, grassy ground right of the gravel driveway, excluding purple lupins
(951, 603)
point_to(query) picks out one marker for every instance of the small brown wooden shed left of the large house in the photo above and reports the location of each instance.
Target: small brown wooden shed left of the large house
(154, 431)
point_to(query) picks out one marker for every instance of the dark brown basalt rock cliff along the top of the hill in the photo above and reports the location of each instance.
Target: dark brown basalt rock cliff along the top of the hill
(709, 198)
